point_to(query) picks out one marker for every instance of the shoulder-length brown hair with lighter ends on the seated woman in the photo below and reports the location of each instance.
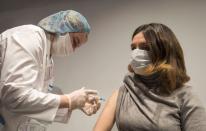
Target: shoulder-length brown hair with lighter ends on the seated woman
(166, 55)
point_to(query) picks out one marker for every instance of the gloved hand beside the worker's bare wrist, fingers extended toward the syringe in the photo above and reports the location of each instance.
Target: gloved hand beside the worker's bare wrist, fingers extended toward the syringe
(78, 98)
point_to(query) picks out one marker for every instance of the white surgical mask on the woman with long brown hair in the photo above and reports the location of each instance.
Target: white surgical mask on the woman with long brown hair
(139, 60)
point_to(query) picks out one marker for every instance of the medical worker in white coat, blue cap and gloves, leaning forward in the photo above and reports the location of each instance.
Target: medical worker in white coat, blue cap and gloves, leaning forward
(27, 71)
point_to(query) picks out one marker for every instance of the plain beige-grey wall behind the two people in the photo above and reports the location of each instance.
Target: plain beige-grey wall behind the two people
(102, 63)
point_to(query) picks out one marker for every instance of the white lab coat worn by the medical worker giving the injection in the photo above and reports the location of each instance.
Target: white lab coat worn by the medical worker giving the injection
(25, 75)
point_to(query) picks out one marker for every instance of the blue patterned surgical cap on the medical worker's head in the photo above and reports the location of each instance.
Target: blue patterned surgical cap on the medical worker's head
(64, 22)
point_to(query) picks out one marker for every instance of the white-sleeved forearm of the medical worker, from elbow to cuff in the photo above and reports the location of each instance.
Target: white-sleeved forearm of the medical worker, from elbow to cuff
(30, 102)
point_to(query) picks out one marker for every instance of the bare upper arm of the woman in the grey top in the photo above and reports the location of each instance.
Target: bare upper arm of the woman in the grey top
(106, 120)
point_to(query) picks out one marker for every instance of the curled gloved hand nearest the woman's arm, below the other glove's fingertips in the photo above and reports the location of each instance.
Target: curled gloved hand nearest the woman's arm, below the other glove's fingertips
(91, 106)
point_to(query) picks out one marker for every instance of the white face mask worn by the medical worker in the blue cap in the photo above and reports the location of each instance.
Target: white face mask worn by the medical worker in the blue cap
(62, 46)
